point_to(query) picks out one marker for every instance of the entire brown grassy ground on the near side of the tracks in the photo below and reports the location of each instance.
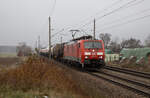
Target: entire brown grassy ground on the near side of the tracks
(36, 77)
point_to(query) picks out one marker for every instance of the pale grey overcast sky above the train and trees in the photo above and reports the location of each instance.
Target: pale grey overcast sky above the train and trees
(25, 20)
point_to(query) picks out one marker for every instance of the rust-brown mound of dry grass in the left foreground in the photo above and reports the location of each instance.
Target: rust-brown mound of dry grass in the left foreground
(38, 74)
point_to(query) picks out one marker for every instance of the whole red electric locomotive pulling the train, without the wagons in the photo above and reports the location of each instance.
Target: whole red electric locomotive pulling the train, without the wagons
(89, 53)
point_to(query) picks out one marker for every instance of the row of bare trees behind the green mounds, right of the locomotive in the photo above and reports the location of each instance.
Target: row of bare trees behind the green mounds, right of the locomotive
(117, 45)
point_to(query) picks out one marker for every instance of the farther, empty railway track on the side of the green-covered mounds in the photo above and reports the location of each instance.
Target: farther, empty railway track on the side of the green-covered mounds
(127, 71)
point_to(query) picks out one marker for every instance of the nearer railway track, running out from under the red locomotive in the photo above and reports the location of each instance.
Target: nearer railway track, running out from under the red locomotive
(134, 86)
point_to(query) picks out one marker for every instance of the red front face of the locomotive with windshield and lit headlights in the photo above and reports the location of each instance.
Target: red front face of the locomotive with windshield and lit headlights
(92, 53)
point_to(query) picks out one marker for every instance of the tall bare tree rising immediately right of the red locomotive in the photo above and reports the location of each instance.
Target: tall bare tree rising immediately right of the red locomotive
(106, 38)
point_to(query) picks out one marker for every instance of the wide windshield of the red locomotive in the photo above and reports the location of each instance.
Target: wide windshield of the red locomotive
(92, 44)
